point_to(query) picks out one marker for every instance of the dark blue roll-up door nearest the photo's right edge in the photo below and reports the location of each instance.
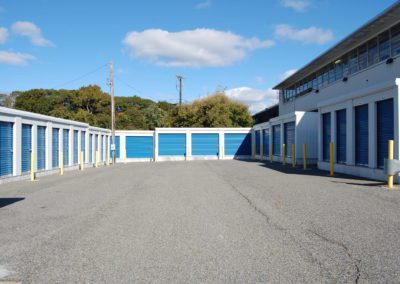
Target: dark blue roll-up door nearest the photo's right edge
(385, 128)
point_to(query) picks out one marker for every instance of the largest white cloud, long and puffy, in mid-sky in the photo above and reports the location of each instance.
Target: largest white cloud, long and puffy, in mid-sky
(191, 48)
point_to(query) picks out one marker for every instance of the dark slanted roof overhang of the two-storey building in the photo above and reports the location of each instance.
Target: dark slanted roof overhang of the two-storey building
(383, 21)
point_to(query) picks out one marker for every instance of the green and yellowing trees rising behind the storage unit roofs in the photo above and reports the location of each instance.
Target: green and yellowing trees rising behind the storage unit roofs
(91, 105)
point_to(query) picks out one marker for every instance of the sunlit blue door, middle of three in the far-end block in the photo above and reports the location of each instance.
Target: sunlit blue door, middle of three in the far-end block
(205, 144)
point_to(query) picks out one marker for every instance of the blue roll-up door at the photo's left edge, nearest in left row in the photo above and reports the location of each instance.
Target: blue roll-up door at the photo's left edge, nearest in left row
(6, 148)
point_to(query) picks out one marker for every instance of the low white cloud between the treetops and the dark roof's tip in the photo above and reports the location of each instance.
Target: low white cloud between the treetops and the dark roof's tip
(257, 100)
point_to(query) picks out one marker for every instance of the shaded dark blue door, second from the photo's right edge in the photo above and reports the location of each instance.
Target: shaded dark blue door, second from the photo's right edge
(361, 135)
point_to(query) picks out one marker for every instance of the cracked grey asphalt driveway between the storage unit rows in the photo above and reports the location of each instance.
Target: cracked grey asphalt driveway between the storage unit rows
(200, 221)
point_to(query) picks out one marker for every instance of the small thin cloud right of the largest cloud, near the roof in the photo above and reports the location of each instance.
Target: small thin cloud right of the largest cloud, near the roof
(306, 36)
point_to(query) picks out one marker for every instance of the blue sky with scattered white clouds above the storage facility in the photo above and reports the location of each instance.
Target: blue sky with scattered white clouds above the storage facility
(245, 47)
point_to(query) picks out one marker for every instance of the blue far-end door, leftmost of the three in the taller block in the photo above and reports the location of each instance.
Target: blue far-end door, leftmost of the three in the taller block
(171, 144)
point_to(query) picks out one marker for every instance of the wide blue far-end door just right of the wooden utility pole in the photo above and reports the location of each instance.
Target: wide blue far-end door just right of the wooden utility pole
(139, 146)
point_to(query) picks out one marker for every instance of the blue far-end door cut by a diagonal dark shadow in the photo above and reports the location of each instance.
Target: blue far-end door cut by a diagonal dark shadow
(237, 144)
